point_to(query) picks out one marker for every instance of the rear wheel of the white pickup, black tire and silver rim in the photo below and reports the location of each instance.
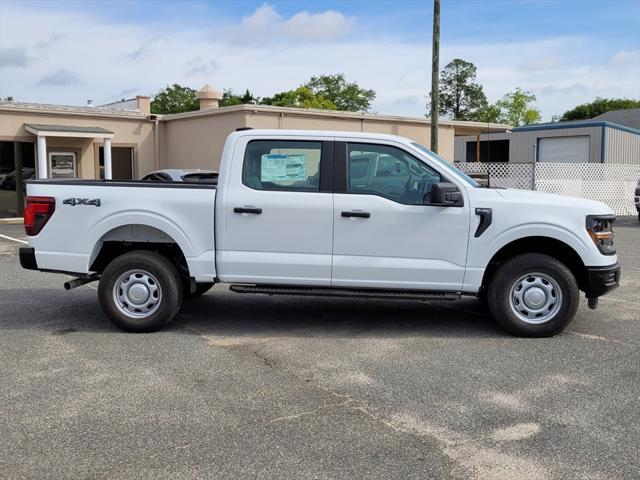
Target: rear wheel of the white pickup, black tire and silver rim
(159, 273)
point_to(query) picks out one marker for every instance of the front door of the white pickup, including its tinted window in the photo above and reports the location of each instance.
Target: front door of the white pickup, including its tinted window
(384, 234)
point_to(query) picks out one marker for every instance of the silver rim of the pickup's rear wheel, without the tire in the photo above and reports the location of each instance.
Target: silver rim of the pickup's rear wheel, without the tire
(137, 293)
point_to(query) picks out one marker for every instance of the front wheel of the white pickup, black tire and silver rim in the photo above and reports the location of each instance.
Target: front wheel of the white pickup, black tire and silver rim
(519, 275)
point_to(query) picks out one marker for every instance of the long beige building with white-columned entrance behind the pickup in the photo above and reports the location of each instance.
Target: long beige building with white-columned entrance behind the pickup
(123, 140)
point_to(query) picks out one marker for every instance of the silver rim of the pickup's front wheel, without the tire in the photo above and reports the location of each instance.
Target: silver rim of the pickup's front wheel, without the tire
(535, 298)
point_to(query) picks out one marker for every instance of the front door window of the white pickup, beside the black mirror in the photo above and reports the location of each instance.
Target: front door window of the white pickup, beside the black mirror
(388, 172)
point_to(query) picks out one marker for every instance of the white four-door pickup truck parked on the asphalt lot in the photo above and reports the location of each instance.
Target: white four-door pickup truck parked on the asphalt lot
(324, 213)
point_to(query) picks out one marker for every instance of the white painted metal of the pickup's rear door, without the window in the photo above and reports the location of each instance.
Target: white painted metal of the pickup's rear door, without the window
(290, 243)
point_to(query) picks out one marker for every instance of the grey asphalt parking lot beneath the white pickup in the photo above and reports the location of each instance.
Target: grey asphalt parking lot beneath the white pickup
(283, 387)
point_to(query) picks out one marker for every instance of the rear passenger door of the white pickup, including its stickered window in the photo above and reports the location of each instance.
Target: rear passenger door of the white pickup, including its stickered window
(279, 217)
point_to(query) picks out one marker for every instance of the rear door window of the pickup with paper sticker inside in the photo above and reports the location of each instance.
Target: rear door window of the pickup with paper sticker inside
(282, 165)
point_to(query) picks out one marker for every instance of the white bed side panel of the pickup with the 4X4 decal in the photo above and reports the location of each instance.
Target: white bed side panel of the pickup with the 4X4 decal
(72, 238)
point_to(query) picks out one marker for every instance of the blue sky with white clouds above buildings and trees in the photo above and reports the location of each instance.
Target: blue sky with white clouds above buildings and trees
(565, 52)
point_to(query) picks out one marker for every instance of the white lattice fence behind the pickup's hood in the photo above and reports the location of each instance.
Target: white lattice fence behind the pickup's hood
(613, 184)
